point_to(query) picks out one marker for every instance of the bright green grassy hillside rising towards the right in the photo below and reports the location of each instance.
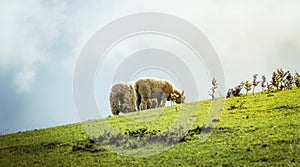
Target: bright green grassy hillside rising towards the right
(260, 129)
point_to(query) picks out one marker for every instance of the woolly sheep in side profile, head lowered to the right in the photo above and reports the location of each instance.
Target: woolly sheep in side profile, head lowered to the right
(163, 90)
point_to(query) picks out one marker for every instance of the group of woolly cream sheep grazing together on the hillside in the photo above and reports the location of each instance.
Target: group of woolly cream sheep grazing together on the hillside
(146, 93)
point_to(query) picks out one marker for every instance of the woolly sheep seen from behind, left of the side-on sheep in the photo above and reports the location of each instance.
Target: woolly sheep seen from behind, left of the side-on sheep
(122, 98)
